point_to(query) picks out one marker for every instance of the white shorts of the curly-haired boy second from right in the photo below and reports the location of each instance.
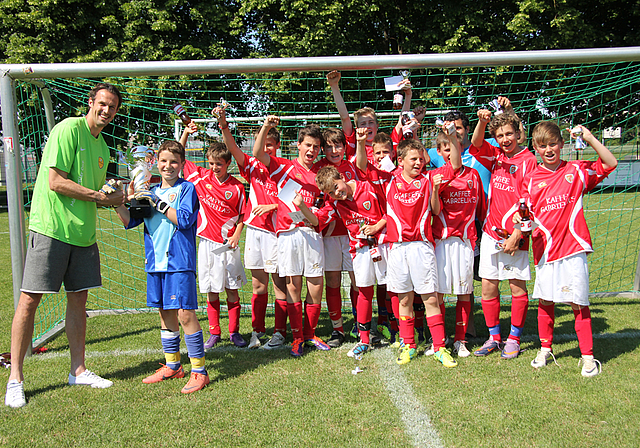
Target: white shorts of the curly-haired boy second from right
(496, 265)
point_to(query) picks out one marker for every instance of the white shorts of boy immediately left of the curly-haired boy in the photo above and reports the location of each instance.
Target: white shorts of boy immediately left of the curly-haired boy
(455, 266)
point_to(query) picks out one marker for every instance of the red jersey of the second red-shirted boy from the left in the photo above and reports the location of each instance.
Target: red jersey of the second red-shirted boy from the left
(263, 191)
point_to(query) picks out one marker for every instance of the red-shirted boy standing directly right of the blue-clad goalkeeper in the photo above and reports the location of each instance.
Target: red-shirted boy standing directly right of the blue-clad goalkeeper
(220, 225)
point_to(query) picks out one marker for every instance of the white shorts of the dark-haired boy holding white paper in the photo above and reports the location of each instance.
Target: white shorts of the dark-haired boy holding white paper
(300, 252)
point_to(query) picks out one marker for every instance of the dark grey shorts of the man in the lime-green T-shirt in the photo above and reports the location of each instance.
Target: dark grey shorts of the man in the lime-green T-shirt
(51, 262)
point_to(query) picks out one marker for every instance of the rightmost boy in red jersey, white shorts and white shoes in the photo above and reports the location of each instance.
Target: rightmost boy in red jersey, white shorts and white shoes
(561, 241)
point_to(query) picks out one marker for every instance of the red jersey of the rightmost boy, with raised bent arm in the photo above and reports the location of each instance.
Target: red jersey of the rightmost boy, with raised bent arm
(555, 200)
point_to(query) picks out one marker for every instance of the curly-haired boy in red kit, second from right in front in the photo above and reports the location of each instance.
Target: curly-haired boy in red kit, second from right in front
(502, 259)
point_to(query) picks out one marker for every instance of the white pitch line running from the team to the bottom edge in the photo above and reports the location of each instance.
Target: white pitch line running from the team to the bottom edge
(414, 415)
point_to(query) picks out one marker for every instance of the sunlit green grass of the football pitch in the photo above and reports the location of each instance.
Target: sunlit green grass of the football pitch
(260, 398)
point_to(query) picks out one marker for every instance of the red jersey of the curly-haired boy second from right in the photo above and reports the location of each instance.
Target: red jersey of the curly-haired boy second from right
(507, 185)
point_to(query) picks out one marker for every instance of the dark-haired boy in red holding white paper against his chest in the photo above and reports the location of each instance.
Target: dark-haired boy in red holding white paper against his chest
(300, 250)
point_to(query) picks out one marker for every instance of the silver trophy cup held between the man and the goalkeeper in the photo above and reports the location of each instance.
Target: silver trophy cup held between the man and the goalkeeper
(140, 160)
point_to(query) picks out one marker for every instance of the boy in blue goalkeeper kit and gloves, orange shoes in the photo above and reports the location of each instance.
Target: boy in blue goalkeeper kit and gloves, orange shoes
(170, 258)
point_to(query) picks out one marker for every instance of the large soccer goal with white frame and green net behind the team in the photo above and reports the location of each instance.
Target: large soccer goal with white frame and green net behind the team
(599, 88)
